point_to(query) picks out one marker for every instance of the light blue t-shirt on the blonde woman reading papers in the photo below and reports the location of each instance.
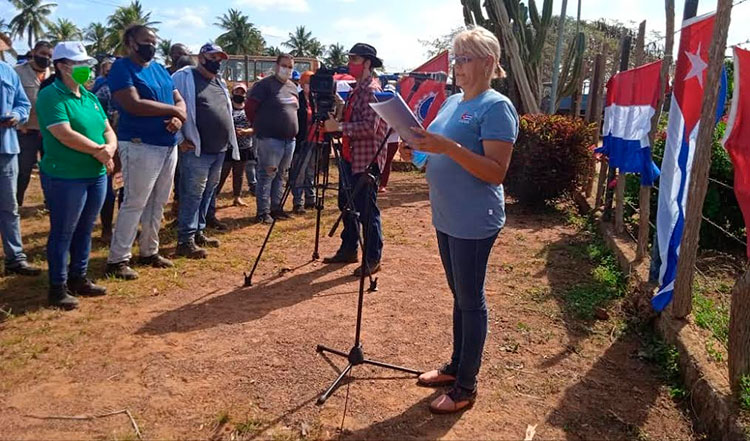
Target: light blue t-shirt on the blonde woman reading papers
(464, 206)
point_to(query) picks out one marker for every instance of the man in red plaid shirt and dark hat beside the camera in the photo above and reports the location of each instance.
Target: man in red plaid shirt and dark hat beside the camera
(363, 132)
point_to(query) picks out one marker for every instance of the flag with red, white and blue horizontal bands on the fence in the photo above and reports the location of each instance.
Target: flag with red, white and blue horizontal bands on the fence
(632, 97)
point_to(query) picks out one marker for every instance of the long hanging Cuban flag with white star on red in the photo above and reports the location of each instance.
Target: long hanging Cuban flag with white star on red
(682, 131)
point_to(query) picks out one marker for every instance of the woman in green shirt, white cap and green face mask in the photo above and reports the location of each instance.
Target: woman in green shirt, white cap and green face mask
(79, 145)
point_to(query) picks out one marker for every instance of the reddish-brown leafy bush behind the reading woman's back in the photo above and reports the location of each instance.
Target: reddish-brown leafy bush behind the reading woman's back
(551, 158)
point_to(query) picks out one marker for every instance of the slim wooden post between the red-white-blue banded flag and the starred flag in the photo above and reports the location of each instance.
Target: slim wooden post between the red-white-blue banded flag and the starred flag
(644, 228)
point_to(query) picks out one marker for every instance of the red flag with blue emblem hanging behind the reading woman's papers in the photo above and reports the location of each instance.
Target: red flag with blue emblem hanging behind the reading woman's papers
(427, 100)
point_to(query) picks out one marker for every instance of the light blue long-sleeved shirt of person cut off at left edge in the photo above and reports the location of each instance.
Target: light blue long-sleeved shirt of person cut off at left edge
(13, 101)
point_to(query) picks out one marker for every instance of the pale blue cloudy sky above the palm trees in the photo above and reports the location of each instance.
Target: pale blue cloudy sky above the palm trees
(394, 27)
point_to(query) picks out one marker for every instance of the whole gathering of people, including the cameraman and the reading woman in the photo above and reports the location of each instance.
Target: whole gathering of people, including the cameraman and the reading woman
(140, 129)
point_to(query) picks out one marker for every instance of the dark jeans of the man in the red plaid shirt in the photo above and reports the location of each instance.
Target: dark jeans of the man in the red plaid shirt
(365, 198)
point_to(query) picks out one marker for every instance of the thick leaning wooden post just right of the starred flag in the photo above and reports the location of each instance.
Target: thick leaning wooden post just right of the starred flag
(683, 289)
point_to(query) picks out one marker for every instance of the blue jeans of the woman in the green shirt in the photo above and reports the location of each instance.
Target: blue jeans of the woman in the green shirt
(74, 205)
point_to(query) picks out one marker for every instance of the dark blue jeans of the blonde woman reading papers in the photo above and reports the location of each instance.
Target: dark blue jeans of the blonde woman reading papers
(465, 264)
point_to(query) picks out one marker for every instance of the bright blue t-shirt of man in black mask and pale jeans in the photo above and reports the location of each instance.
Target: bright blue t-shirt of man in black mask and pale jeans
(152, 83)
